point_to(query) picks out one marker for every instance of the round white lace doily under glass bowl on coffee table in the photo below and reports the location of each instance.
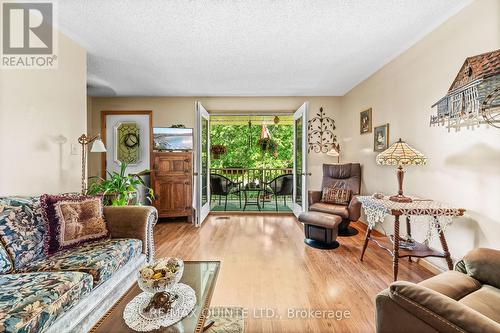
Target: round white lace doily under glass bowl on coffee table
(181, 308)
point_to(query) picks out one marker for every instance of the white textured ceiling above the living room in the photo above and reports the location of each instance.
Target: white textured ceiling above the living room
(243, 48)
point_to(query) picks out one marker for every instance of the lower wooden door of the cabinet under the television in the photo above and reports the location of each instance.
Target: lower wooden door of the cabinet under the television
(173, 196)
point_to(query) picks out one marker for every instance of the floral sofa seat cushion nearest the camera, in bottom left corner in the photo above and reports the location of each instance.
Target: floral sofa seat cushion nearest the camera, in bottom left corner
(31, 302)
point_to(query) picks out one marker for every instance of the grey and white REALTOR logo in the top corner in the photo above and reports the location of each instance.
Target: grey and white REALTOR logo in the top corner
(28, 35)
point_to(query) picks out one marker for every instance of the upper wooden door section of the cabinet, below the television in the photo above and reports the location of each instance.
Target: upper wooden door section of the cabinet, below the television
(172, 164)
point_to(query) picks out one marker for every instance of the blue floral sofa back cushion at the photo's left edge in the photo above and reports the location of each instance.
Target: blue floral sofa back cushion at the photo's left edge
(22, 230)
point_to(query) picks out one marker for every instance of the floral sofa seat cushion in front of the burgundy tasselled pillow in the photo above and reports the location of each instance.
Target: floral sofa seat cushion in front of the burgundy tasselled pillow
(100, 259)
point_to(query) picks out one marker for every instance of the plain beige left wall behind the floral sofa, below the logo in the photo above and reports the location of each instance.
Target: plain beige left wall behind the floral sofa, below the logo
(42, 112)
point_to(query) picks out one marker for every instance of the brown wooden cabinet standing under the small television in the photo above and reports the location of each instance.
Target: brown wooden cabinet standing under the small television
(172, 180)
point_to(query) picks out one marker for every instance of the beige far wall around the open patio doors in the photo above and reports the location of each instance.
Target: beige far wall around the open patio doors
(181, 110)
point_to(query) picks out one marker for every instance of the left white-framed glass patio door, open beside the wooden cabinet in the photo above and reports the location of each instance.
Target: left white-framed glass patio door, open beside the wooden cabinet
(202, 165)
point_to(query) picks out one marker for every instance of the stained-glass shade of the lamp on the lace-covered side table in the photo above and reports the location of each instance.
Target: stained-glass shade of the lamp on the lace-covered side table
(399, 154)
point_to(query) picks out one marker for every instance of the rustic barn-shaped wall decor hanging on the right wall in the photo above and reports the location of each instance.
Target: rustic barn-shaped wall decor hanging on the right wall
(474, 96)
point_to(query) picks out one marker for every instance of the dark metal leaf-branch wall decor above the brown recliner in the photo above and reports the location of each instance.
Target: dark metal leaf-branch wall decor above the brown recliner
(320, 133)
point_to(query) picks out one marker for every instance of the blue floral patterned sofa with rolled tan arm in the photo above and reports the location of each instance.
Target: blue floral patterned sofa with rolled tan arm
(72, 289)
